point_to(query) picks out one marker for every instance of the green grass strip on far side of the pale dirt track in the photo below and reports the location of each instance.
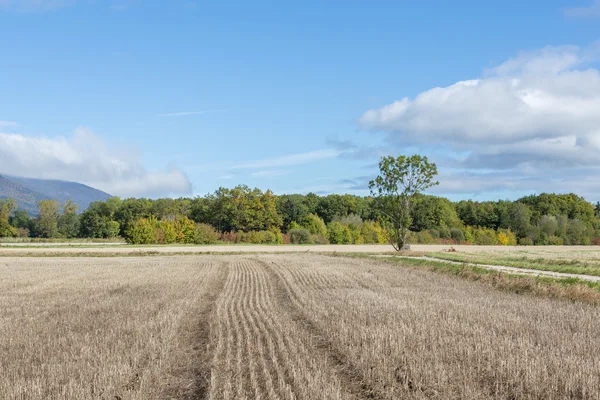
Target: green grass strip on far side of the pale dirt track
(569, 266)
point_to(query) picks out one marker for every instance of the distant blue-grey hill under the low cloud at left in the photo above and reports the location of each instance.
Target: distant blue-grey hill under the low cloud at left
(27, 192)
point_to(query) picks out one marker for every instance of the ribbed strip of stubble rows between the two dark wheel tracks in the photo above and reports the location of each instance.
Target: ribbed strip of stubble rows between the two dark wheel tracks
(260, 354)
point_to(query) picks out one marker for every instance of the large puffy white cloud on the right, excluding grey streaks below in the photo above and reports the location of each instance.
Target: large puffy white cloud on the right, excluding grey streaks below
(541, 106)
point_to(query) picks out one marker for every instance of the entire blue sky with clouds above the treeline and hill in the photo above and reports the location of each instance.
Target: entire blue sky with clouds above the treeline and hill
(179, 98)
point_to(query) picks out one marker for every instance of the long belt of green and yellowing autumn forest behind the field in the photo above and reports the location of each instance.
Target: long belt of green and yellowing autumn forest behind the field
(250, 215)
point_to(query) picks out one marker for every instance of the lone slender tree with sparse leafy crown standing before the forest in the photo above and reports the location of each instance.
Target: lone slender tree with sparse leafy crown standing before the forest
(395, 189)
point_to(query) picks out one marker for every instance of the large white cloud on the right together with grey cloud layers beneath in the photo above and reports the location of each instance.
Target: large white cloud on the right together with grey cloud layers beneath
(535, 113)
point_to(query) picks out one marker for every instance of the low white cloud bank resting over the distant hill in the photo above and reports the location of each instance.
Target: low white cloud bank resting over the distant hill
(86, 158)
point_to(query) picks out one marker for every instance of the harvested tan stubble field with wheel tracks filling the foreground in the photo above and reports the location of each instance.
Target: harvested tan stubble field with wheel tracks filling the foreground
(282, 326)
